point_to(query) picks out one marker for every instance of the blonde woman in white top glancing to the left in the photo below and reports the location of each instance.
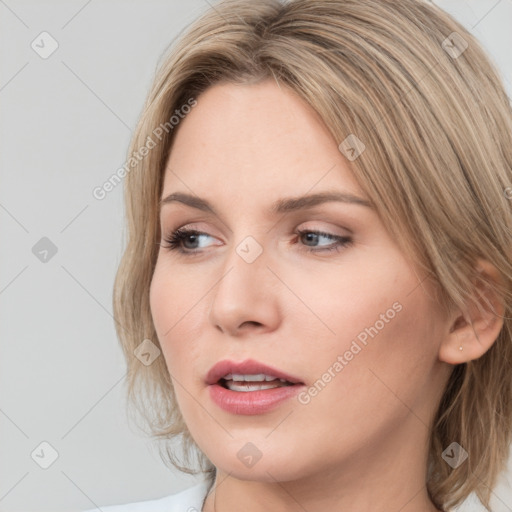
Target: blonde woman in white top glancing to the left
(315, 294)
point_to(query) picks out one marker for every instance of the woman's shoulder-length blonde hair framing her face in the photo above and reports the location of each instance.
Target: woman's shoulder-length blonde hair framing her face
(437, 126)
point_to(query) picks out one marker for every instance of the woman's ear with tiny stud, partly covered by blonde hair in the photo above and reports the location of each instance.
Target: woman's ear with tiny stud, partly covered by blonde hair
(477, 328)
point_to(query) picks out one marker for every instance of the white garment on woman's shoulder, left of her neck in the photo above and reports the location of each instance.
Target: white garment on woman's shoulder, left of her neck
(189, 500)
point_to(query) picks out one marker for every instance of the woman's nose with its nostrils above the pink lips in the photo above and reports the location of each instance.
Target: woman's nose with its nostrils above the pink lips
(245, 298)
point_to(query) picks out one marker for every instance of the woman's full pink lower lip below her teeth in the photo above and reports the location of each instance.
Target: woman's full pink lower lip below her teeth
(251, 402)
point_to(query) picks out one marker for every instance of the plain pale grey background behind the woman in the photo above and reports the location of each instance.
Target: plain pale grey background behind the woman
(65, 127)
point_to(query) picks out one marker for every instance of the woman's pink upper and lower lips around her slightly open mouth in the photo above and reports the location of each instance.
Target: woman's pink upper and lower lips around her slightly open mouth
(249, 402)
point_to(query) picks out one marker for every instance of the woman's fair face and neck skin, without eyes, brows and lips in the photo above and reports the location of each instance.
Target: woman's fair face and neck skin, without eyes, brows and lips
(362, 442)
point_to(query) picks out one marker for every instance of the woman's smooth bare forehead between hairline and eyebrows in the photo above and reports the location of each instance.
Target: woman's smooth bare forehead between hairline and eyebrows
(255, 139)
